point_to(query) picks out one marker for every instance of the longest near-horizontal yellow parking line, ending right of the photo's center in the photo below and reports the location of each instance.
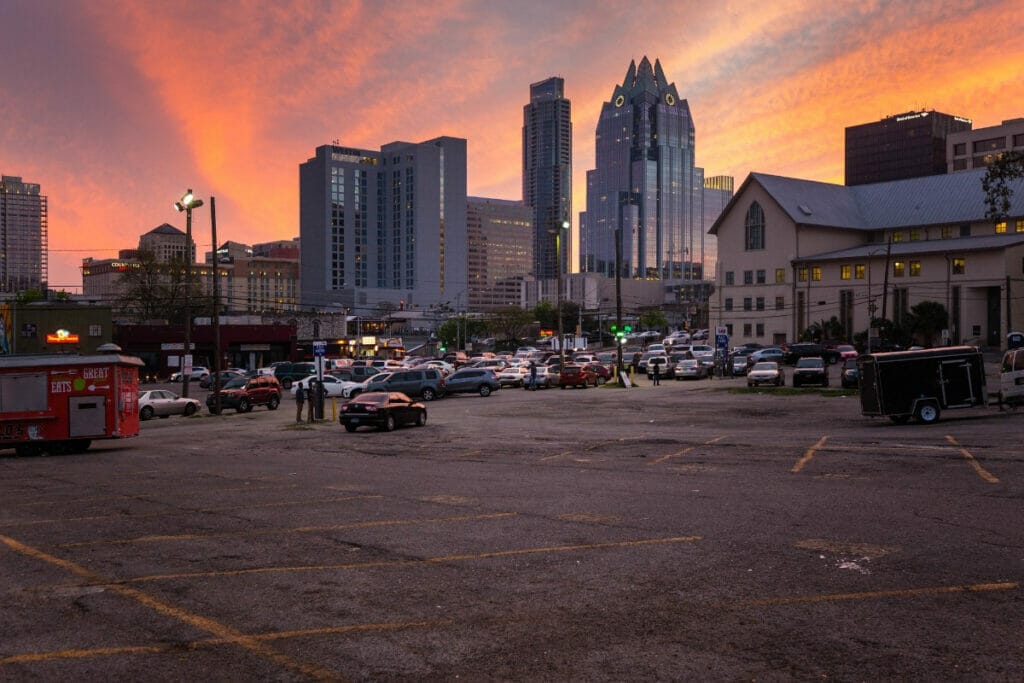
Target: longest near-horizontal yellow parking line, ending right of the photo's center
(446, 560)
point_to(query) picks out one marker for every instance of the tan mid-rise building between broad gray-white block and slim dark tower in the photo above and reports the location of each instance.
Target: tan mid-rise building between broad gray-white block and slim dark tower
(500, 252)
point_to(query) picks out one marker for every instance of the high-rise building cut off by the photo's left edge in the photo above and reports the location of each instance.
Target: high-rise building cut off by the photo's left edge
(23, 237)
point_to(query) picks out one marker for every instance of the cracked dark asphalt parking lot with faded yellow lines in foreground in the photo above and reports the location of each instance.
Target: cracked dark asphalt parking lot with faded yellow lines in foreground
(691, 531)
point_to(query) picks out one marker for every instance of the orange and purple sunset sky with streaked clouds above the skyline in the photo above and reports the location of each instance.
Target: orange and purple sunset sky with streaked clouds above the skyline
(116, 108)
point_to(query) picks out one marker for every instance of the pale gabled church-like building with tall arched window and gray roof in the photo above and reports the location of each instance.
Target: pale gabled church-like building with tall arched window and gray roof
(796, 253)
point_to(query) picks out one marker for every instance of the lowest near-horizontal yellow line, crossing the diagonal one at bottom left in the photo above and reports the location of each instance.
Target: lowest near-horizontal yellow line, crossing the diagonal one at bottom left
(82, 654)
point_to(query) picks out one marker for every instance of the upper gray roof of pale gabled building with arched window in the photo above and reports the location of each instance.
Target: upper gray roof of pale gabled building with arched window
(933, 200)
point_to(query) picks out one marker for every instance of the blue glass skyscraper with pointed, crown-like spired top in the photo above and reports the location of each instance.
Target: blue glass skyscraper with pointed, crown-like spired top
(645, 184)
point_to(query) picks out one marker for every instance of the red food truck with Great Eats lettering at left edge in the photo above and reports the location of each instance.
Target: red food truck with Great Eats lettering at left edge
(61, 404)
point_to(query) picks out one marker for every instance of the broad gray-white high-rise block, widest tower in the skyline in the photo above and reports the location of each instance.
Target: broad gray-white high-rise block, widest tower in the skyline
(383, 230)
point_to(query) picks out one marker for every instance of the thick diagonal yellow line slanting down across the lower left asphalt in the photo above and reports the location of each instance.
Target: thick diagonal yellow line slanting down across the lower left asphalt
(222, 631)
